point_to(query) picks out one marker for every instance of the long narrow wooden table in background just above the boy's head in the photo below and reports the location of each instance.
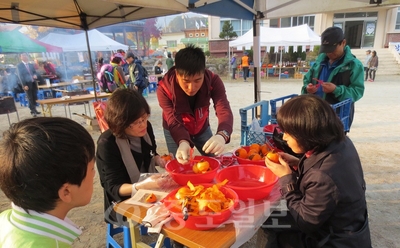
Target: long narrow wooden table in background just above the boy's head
(47, 104)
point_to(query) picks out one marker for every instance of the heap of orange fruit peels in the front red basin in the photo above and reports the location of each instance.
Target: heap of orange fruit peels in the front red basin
(200, 200)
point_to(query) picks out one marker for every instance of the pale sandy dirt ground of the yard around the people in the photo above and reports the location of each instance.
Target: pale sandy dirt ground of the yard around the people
(375, 133)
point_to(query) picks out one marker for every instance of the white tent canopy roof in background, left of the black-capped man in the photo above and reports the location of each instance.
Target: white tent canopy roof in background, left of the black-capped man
(293, 36)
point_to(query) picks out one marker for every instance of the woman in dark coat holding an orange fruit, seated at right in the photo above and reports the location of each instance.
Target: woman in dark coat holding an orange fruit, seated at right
(325, 189)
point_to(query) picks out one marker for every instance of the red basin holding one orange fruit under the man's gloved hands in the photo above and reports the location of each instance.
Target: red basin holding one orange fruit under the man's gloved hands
(181, 174)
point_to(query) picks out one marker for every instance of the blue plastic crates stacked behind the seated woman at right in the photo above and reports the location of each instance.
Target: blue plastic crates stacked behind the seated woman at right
(265, 113)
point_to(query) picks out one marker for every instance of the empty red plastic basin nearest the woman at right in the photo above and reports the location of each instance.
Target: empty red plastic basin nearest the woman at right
(248, 181)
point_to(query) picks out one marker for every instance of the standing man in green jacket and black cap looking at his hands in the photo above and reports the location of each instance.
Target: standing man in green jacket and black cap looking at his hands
(341, 73)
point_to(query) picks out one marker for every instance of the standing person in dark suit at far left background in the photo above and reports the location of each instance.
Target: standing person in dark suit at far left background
(28, 75)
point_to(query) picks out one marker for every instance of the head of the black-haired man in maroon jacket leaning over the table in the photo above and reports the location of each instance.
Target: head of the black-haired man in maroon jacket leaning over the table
(190, 65)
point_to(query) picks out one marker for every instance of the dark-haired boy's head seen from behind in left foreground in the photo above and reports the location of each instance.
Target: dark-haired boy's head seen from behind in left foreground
(45, 161)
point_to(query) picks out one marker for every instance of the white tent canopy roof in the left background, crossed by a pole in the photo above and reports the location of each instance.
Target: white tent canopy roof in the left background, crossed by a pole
(77, 42)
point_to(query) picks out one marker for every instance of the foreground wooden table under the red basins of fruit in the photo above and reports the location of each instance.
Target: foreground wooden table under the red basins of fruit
(241, 227)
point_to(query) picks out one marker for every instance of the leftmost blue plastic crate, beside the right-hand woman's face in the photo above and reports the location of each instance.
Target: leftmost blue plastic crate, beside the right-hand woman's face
(260, 111)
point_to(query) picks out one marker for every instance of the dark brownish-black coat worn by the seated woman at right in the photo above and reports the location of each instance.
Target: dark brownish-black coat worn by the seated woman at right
(330, 200)
